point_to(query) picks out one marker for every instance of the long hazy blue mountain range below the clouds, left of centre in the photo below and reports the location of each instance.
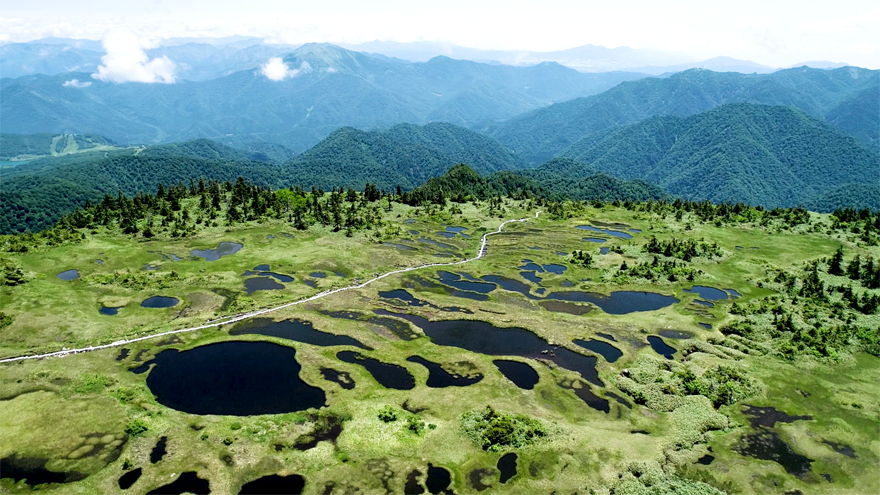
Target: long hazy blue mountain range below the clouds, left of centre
(326, 87)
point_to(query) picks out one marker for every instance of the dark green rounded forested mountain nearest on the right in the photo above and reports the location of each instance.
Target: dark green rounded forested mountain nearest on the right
(762, 155)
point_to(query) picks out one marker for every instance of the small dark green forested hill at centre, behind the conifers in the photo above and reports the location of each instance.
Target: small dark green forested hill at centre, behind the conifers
(404, 155)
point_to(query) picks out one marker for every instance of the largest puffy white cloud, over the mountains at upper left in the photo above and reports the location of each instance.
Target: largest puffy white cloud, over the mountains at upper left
(126, 61)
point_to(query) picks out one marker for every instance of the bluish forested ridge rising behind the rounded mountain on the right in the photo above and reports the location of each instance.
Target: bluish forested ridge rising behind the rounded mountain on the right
(843, 96)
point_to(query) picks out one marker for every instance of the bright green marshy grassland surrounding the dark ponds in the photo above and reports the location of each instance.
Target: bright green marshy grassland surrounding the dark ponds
(53, 409)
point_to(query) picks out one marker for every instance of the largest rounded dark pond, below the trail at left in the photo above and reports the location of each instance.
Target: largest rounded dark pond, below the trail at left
(232, 378)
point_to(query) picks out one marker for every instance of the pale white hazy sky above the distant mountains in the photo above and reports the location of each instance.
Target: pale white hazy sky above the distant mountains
(771, 32)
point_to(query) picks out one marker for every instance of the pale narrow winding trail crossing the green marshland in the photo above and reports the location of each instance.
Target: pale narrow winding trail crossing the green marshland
(234, 319)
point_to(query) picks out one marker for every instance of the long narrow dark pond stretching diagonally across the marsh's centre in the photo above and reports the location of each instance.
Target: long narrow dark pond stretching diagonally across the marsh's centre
(485, 338)
